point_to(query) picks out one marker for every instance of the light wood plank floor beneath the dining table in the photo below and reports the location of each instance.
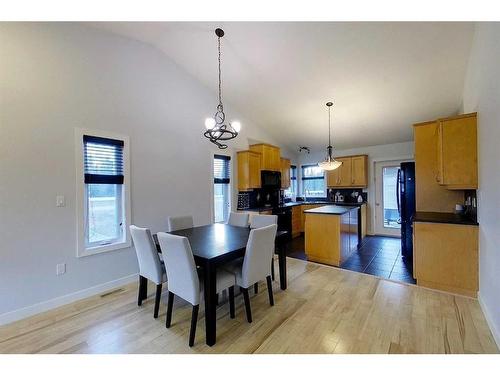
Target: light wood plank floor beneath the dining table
(324, 310)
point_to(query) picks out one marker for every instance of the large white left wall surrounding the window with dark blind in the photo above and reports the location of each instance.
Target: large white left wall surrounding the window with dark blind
(55, 77)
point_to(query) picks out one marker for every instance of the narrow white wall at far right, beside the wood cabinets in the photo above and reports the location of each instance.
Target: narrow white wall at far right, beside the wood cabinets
(482, 94)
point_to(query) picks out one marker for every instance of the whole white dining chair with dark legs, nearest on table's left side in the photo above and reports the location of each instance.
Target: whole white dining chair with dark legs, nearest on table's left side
(184, 281)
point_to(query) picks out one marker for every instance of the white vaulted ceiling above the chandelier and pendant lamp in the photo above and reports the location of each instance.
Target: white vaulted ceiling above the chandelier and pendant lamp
(382, 77)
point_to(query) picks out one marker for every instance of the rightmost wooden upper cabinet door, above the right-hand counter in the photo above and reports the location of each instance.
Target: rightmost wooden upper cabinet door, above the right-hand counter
(457, 152)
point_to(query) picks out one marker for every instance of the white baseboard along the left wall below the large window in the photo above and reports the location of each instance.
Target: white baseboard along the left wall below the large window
(40, 307)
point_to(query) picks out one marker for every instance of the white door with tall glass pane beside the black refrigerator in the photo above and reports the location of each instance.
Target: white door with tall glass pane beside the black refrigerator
(387, 218)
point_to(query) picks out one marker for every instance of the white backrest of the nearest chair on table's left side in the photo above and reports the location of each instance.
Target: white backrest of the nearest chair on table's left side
(182, 277)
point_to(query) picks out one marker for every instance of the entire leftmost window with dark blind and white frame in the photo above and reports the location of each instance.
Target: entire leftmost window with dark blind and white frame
(102, 193)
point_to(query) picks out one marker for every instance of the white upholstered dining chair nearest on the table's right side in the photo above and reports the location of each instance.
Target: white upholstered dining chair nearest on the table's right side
(256, 264)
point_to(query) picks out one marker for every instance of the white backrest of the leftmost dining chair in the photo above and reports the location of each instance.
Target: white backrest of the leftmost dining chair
(147, 255)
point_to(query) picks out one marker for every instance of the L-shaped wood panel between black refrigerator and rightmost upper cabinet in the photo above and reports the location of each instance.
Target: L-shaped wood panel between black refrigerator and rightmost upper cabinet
(430, 195)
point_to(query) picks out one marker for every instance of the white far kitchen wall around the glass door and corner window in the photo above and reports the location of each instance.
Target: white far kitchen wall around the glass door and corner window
(395, 151)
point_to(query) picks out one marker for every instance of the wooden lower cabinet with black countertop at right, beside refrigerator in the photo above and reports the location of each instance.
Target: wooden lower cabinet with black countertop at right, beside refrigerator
(445, 257)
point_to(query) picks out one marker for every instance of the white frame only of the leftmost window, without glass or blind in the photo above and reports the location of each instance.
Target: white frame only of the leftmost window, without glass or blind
(82, 249)
